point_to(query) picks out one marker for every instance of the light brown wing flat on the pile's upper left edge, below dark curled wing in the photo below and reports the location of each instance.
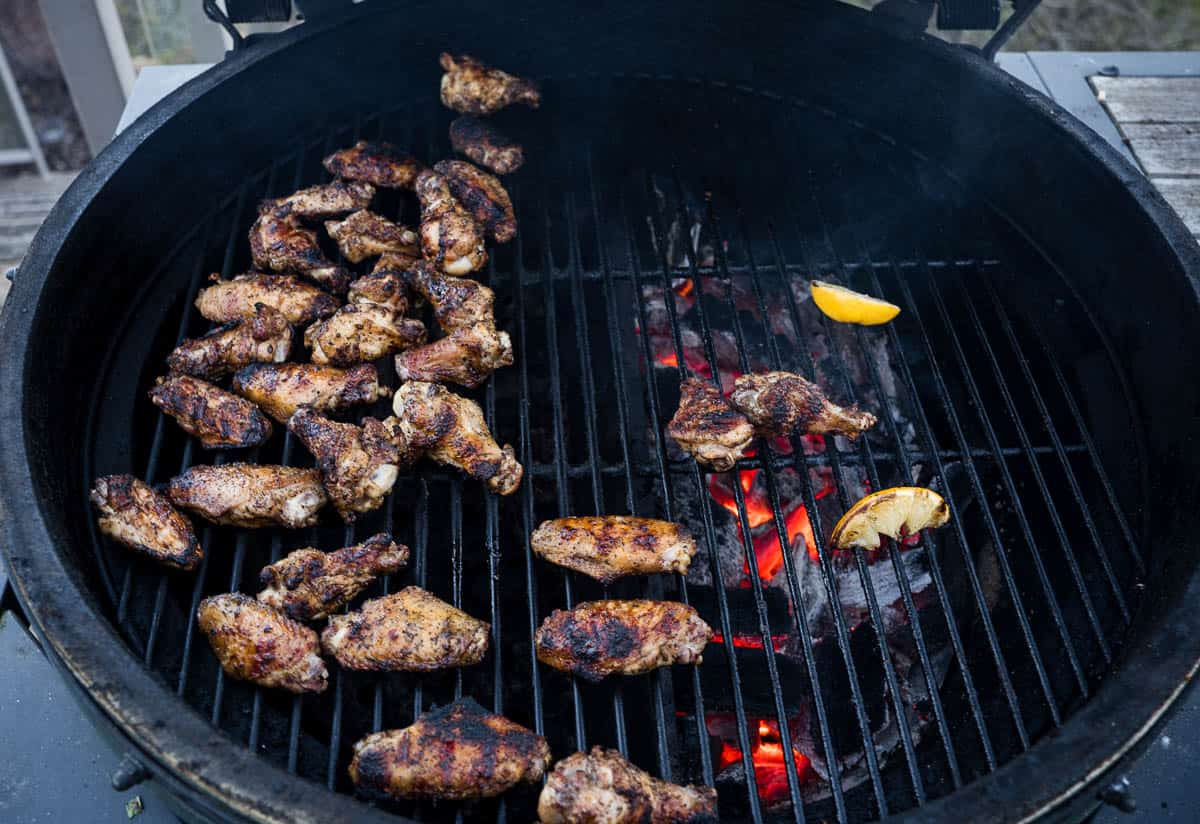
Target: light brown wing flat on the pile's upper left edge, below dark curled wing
(235, 300)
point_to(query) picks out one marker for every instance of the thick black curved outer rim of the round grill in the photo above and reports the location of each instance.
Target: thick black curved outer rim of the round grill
(224, 778)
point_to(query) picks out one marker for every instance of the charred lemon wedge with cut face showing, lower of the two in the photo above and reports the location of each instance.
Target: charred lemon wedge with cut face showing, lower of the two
(895, 513)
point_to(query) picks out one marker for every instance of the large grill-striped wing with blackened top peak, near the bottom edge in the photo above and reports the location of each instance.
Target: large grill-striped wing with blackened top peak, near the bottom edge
(457, 753)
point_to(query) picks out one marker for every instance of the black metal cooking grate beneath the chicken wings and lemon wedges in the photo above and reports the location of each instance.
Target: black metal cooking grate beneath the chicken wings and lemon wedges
(985, 398)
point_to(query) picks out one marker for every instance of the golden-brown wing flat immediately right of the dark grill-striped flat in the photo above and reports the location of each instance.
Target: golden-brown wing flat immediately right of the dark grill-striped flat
(280, 389)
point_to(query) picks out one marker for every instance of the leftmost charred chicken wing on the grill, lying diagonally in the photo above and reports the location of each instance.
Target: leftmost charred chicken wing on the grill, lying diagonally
(136, 516)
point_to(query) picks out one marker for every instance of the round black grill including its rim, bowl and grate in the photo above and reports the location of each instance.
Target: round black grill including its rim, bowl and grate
(839, 147)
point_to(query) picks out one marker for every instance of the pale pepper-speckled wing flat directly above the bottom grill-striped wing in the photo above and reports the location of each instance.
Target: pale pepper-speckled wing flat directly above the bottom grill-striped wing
(409, 631)
